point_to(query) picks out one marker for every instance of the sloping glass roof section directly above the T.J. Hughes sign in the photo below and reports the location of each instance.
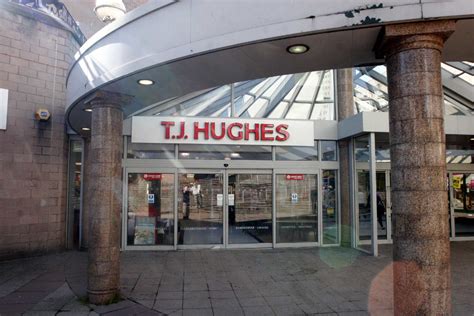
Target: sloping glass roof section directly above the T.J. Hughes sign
(297, 96)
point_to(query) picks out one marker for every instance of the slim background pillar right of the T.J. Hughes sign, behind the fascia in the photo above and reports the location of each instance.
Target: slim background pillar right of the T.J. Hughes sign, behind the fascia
(345, 109)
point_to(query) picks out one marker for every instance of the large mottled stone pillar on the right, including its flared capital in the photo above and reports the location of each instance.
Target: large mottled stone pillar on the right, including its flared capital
(421, 250)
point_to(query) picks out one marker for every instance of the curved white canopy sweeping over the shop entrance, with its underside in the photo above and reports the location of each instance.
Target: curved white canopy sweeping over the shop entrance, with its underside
(190, 45)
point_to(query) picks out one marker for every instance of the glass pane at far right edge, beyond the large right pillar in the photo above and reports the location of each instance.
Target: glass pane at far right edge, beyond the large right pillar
(463, 203)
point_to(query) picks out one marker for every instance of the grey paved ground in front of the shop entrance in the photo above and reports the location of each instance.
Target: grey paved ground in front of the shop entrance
(304, 281)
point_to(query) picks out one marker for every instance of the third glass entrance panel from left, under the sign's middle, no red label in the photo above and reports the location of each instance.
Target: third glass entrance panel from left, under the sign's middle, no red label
(250, 208)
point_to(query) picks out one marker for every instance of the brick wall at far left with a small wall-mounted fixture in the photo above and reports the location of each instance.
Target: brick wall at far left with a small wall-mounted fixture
(34, 59)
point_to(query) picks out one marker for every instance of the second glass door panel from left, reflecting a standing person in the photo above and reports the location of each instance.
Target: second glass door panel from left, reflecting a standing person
(200, 205)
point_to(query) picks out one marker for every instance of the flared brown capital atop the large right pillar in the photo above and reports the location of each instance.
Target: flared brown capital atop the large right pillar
(399, 37)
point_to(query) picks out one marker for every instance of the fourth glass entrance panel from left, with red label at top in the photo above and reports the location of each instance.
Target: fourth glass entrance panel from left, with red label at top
(296, 208)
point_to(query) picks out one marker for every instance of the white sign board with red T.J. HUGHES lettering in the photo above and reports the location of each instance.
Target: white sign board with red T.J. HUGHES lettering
(217, 131)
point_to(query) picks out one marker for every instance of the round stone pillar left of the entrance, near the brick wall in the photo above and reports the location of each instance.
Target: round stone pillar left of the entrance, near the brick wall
(105, 197)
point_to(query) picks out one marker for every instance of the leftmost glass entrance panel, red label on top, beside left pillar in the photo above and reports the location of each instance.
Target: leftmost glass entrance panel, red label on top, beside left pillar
(150, 219)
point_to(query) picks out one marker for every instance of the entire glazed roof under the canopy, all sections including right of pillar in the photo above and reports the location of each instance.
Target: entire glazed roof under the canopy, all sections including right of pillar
(310, 95)
